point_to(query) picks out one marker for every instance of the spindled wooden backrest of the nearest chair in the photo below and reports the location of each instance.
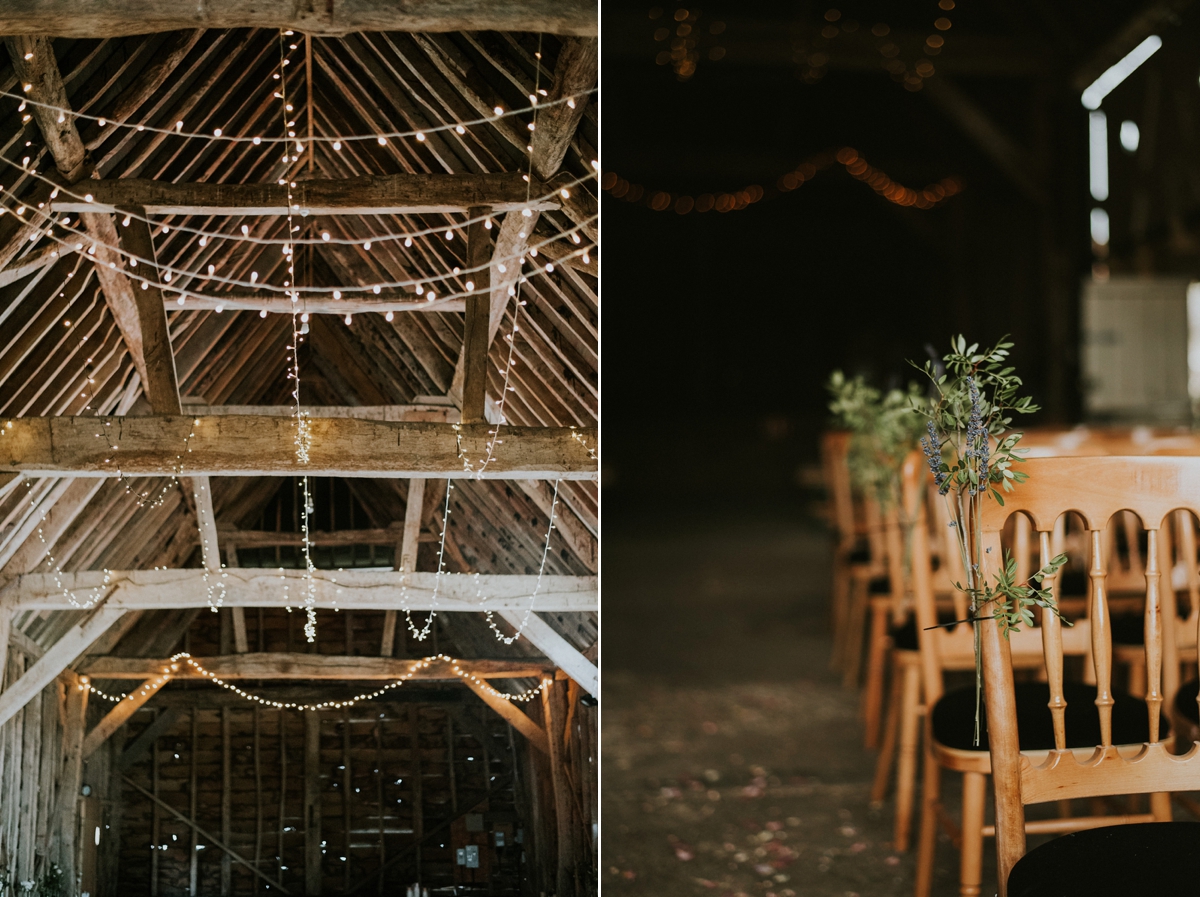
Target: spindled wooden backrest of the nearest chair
(1096, 489)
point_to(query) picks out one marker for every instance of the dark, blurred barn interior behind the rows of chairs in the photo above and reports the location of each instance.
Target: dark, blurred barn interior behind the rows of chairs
(721, 329)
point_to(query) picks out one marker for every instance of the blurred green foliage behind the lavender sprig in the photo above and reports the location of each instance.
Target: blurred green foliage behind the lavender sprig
(884, 430)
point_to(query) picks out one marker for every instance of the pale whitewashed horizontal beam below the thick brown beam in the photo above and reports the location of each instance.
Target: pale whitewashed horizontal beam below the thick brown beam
(349, 589)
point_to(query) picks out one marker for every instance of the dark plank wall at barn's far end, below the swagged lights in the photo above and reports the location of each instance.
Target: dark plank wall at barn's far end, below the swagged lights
(385, 770)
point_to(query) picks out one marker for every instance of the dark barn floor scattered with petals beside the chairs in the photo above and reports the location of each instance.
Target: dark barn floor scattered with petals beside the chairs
(733, 761)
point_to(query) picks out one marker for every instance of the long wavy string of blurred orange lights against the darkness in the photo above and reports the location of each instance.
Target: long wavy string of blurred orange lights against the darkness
(849, 158)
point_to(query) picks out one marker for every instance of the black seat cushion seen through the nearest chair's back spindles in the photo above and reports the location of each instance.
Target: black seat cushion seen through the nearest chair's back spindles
(955, 719)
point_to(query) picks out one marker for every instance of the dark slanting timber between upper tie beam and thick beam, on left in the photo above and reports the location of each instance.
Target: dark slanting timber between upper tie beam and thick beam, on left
(161, 384)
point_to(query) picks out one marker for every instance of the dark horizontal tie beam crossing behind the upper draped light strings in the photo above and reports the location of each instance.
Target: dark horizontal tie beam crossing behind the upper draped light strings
(369, 195)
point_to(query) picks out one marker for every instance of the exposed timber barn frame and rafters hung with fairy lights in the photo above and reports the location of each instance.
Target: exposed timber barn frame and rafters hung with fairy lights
(403, 230)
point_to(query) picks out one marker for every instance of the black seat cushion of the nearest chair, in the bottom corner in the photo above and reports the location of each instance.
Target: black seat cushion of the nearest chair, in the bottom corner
(1113, 862)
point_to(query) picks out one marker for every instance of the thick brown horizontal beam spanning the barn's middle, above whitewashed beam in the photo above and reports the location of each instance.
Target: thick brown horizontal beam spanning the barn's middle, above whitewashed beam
(263, 447)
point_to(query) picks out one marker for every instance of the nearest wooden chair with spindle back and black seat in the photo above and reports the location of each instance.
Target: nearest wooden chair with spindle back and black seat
(1105, 758)
